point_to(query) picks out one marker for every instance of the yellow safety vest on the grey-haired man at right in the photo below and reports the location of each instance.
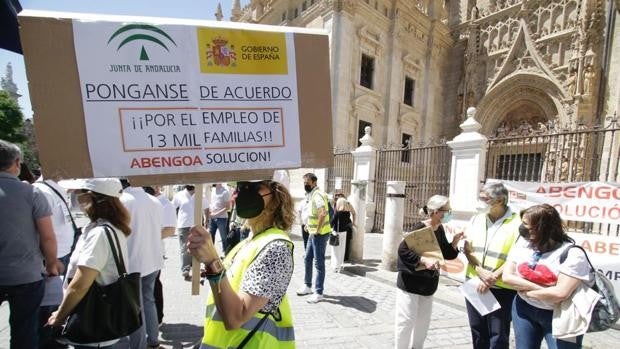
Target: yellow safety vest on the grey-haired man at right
(497, 243)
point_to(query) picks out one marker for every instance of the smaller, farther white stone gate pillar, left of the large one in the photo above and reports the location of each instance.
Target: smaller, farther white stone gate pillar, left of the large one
(364, 161)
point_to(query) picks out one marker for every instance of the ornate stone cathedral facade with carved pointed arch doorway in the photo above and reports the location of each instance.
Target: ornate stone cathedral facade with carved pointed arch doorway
(411, 68)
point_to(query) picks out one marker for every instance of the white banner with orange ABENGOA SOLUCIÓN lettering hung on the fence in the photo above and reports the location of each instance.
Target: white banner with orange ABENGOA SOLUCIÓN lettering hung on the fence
(597, 202)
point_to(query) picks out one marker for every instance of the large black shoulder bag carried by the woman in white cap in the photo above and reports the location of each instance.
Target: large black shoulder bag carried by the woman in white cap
(107, 312)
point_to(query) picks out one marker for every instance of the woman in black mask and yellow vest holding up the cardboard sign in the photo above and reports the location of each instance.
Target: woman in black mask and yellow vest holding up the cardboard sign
(248, 302)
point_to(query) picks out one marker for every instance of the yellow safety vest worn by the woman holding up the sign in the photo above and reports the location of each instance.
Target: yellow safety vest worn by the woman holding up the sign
(277, 329)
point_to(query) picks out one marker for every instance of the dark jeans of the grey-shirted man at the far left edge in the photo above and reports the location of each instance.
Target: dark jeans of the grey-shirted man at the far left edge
(24, 301)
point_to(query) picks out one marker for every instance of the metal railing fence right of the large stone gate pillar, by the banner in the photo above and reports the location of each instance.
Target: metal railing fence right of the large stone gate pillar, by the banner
(551, 154)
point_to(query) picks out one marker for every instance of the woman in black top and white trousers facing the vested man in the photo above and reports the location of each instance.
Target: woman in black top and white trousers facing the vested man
(418, 276)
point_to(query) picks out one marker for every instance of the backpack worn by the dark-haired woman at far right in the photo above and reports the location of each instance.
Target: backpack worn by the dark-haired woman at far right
(607, 310)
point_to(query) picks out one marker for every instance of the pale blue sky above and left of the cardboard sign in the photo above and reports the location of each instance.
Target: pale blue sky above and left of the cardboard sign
(196, 9)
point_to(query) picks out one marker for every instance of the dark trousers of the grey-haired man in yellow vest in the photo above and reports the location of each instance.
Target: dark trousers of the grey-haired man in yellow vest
(492, 330)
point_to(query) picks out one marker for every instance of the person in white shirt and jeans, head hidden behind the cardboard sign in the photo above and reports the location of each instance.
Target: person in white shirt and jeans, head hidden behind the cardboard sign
(145, 257)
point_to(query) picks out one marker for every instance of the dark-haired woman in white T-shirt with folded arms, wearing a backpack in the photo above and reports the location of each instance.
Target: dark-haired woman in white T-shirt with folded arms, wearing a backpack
(542, 280)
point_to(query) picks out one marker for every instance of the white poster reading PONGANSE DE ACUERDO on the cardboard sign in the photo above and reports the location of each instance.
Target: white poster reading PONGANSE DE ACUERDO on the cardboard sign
(178, 98)
